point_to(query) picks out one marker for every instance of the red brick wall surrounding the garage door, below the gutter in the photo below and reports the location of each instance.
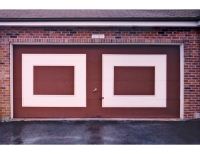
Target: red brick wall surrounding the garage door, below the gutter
(189, 36)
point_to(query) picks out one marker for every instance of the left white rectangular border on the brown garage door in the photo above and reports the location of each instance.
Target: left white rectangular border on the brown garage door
(76, 100)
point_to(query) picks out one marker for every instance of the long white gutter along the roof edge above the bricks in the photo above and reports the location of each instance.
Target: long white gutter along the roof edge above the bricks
(104, 24)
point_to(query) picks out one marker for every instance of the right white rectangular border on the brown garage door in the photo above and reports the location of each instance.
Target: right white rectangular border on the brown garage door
(156, 100)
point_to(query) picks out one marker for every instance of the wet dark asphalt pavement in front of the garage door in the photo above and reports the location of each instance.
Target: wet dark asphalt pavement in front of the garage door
(100, 132)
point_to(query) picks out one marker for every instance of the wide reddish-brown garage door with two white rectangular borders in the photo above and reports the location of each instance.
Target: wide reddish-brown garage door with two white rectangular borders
(96, 81)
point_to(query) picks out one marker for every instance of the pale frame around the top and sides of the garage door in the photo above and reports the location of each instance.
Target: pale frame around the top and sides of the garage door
(181, 46)
